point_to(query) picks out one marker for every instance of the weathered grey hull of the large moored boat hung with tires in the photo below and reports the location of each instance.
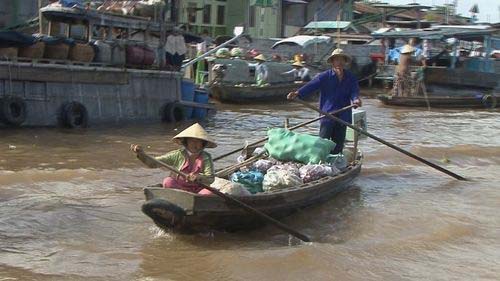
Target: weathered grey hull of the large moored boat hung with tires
(108, 94)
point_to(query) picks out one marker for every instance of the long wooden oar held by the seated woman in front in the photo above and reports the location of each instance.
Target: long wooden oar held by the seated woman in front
(231, 199)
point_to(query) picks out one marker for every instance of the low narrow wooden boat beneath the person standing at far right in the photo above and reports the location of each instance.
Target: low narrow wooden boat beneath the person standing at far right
(481, 101)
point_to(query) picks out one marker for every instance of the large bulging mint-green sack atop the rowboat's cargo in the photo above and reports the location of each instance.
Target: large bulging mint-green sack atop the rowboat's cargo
(286, 145)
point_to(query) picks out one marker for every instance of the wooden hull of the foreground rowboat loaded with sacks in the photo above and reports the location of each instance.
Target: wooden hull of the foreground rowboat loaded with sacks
(185, 212)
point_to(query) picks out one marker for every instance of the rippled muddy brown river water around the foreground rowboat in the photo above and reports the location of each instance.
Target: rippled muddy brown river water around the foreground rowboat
(70, 205)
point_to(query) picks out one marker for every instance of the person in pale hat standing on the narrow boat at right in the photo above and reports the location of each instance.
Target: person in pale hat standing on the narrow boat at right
(403, 82)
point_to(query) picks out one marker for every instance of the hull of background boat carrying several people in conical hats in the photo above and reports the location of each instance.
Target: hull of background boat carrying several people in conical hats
(251, 93)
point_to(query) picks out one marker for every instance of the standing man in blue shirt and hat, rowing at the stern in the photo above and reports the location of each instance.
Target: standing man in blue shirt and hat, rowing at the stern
(338, 88)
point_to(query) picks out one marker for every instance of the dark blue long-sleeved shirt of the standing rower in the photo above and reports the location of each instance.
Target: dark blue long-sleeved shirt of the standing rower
(335, 94)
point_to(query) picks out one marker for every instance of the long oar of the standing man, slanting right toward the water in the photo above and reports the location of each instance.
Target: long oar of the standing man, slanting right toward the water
(381, 140)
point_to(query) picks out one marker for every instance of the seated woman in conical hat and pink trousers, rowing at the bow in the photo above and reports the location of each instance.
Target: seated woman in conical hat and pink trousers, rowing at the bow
(192, 159)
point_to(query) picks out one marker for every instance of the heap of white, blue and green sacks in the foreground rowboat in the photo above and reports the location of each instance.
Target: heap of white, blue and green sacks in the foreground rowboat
(294, 159)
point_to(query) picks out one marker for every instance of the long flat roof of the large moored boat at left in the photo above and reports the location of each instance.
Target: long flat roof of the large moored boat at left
(77, 15)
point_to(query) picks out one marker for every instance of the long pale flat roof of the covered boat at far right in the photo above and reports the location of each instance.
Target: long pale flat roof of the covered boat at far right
(467, 33)
